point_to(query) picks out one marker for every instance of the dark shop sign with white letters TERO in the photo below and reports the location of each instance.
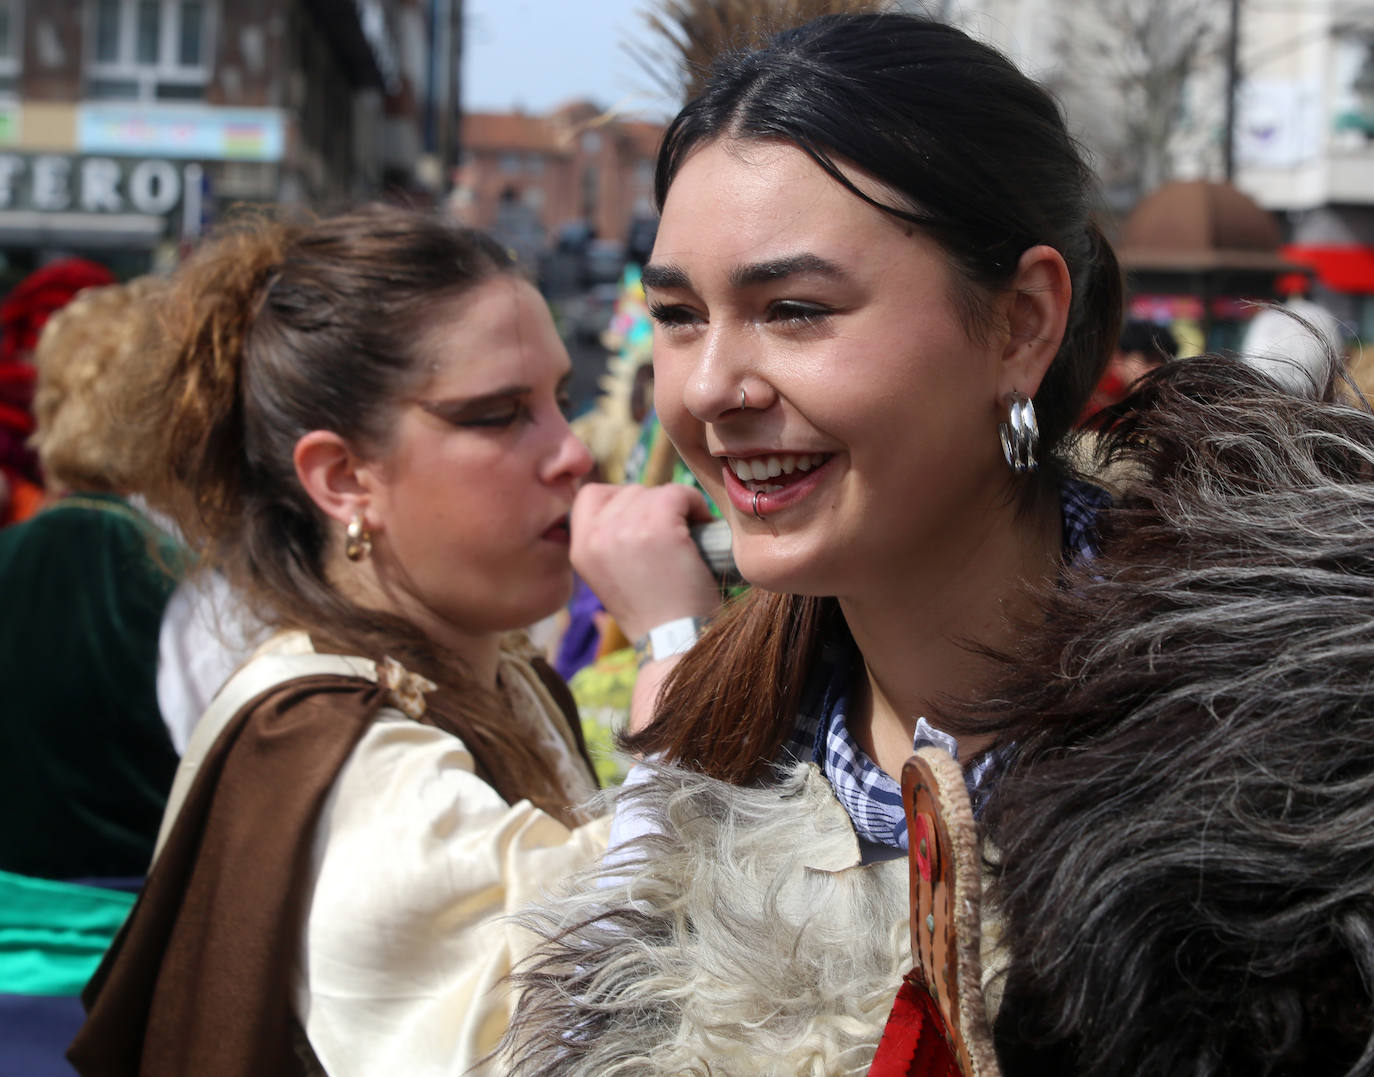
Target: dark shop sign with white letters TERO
(53, 183)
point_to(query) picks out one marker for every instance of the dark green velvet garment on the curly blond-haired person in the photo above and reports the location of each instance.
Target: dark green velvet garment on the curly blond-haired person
(86, 762)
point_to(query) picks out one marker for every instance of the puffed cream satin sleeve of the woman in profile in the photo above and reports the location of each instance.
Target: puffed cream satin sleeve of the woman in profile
(417, 863)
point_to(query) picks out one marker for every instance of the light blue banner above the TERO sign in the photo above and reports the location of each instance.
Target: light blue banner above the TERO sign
(201, 133)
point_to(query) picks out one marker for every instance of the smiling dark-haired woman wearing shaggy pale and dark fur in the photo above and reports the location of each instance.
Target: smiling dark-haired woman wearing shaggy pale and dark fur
(881, 303)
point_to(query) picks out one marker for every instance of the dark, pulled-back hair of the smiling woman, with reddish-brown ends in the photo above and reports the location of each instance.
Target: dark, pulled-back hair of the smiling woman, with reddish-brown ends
(980, 161)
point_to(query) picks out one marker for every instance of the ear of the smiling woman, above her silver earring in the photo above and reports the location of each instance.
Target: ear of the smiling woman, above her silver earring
(1038, 310)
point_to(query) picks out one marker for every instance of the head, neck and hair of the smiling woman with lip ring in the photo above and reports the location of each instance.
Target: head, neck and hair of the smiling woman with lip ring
(877, 237)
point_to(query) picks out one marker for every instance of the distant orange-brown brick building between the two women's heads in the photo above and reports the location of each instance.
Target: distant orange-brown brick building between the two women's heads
(572, 170)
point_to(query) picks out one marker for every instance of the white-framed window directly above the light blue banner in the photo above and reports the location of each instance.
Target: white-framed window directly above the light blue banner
(149, 50)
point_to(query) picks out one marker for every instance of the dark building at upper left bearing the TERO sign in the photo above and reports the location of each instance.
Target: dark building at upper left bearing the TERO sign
(126, 126)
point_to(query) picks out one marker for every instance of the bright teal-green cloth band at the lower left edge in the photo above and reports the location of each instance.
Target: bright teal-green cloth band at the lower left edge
(53, 935)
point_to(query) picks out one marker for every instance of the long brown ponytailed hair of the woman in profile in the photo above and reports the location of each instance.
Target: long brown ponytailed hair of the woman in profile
(277, 329)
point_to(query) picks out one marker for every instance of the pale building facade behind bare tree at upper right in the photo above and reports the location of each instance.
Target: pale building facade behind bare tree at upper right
(1302, 141)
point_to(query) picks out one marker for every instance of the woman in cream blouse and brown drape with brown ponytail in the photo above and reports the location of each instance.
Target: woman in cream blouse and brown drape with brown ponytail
(362, 425)
